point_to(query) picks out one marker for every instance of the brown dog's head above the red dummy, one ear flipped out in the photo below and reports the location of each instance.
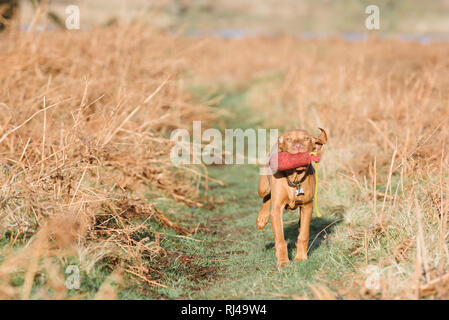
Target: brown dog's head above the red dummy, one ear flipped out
(295, 141)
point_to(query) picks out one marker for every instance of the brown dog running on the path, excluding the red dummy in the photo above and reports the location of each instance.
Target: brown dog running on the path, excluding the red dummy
(290, 189)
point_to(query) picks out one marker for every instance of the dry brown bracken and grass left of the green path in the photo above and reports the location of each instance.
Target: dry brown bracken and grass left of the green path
(84, 118)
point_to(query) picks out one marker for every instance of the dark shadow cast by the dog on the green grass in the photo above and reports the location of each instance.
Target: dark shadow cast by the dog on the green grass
(320, 228)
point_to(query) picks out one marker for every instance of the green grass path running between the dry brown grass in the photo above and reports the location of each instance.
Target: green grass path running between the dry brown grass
(230, 258)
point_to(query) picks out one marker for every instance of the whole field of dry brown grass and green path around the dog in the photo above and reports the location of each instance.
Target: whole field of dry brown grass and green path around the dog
(86, 179)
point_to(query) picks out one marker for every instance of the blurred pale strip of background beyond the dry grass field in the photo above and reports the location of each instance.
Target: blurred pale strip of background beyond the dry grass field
(233, 18)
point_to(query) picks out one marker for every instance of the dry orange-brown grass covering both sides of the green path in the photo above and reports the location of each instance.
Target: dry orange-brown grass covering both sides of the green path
(83, 117)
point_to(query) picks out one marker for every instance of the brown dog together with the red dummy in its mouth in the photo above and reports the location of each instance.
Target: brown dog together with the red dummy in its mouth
(291, 183)
